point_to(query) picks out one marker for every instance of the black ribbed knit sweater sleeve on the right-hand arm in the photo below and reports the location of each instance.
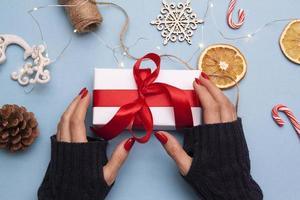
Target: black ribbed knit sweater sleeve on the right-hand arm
(221, 166)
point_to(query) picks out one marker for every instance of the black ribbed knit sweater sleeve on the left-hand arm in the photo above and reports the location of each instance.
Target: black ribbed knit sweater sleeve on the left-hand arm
(75, 171)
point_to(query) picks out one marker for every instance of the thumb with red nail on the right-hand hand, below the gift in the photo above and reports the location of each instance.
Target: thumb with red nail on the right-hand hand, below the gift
(175, 151)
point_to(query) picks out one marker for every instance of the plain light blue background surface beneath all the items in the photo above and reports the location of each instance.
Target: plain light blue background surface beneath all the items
(149, 172)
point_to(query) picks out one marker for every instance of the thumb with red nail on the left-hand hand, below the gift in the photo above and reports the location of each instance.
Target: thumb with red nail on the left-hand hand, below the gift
(119, 155)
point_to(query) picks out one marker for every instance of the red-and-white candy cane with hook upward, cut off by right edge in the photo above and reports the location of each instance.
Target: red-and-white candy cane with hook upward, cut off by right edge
(290, 115)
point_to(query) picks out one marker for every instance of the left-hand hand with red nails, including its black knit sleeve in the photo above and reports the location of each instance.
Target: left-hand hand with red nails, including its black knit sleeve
(79, 168)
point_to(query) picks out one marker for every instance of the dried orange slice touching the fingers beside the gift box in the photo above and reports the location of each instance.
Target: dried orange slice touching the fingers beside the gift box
(224, 61)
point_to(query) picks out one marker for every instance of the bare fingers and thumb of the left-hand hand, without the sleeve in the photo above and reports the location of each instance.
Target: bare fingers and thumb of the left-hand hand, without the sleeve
(71, 129)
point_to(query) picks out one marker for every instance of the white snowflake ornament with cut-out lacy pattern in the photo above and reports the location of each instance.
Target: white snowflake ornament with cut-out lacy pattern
(177, 22)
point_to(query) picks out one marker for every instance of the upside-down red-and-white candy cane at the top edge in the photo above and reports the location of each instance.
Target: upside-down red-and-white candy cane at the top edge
(241, 15)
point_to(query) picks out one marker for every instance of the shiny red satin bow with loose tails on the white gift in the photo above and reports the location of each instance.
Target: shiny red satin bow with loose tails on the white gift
(138, 111)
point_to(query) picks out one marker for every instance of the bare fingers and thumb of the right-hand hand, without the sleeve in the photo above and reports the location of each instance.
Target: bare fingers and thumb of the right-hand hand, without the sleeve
(216, 108)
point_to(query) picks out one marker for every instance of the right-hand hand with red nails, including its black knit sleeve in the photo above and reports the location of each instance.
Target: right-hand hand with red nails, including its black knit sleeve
(215, 158)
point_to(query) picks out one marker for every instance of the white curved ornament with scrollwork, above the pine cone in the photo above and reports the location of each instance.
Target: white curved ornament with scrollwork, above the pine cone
(31, 72)
